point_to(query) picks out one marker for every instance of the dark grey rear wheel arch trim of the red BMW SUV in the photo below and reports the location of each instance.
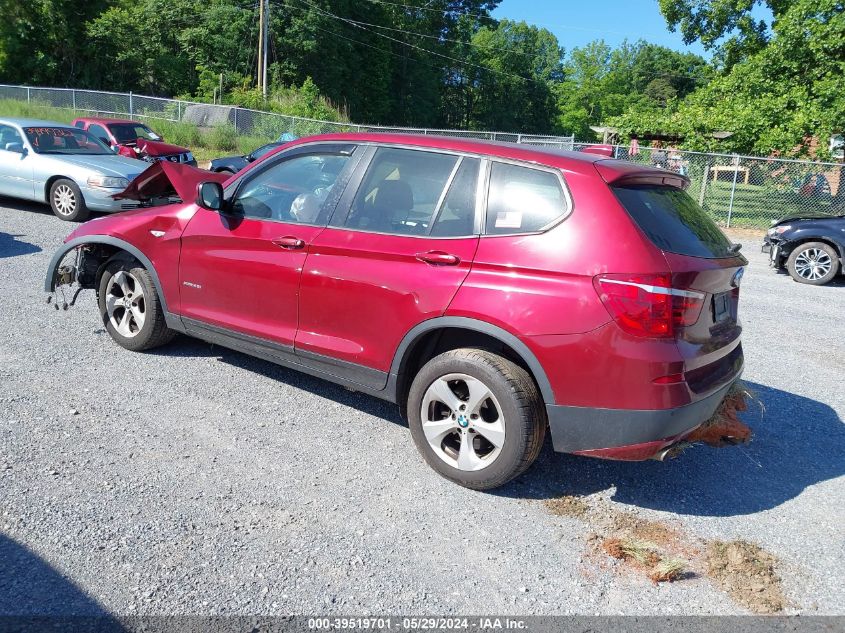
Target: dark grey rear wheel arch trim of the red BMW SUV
(436, 336)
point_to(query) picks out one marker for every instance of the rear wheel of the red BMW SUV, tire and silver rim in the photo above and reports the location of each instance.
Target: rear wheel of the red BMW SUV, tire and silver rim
(476, 417)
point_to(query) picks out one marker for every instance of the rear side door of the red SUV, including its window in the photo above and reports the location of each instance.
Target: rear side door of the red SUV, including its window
(394, 254)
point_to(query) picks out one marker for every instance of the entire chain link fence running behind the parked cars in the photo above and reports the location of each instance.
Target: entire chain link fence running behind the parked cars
(737, 191)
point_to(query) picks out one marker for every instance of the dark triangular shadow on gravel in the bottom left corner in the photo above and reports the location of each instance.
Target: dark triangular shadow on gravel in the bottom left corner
(36, 596)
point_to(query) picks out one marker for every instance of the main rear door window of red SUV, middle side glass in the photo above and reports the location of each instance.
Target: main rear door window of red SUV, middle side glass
(401, 191)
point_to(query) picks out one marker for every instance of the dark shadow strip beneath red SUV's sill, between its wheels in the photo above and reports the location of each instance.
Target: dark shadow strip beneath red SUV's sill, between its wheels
(185, 347)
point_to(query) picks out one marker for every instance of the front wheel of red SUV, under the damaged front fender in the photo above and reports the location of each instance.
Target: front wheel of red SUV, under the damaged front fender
(130, 307)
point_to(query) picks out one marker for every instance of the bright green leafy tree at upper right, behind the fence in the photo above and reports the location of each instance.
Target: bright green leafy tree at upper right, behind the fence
(777, 100)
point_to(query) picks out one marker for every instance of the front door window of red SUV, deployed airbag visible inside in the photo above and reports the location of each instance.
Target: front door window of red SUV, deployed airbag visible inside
(293, 190)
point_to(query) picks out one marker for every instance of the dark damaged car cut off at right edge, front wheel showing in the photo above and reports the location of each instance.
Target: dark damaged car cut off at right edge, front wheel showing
(810, 246)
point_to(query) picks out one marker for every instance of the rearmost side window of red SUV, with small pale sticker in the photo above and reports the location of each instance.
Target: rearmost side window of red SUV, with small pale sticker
(522, 199)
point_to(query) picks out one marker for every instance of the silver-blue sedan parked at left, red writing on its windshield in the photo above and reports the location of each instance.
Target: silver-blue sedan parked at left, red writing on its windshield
(66, 167)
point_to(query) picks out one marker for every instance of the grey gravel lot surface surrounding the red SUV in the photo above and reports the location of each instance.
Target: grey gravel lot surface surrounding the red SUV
(196, 480)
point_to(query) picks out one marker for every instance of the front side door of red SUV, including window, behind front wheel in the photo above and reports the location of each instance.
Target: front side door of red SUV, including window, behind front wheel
(240, 270)
